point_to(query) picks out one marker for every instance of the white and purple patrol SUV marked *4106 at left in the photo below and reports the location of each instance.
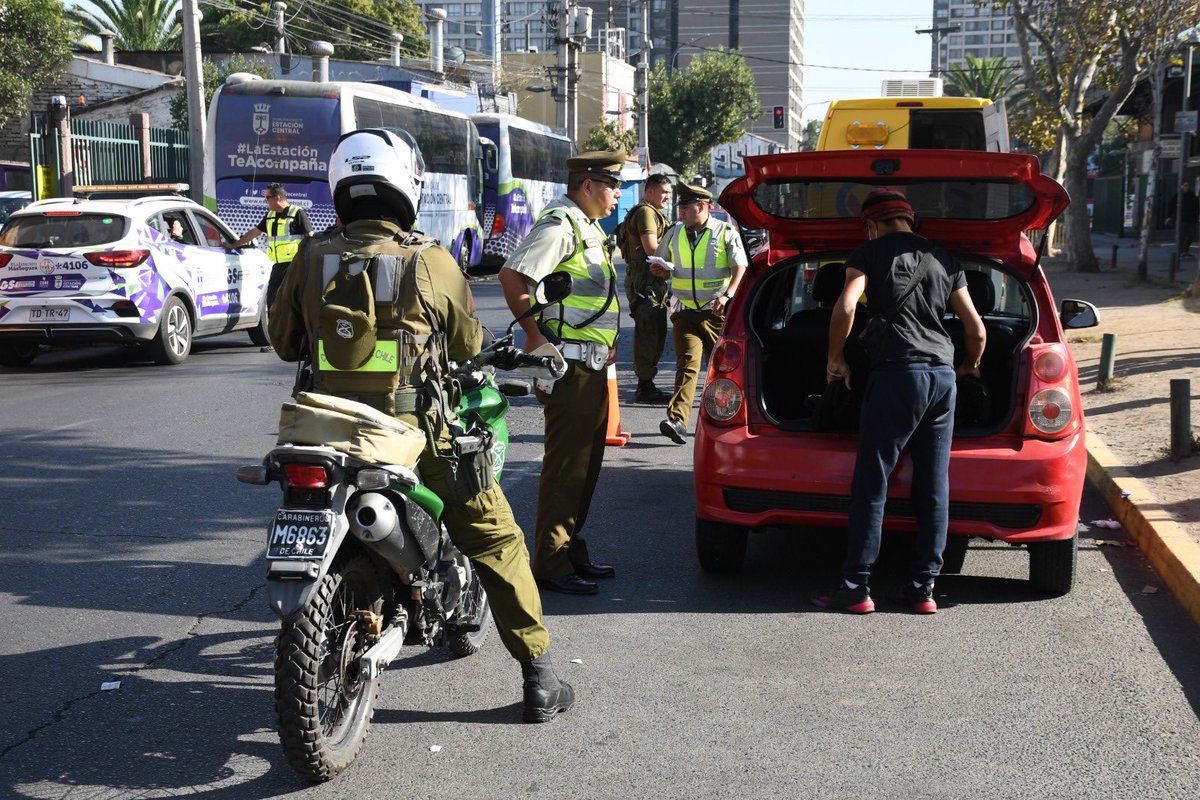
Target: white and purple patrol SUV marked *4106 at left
(155, 272)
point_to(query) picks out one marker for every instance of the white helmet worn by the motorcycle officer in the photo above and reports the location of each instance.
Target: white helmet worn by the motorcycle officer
(377, 175)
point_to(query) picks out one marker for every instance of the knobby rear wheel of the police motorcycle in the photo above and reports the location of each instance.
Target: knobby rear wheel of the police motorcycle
(322, 700)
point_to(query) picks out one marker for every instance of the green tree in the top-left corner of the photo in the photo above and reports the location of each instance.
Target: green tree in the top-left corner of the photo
(38, 37)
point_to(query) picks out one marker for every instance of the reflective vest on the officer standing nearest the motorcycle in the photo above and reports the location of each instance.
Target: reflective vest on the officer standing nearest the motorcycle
(591, 312)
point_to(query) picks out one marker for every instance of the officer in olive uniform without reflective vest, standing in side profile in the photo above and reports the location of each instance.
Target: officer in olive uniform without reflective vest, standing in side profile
(647, 292)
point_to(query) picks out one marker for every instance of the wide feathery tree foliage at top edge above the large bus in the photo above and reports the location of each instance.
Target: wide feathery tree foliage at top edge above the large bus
(359, 31)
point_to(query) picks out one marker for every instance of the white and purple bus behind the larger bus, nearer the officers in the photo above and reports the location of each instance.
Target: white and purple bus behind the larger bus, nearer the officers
(530, 172)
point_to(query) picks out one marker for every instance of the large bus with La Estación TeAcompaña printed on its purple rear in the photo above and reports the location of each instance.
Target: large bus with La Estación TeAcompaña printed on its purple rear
(284, 131)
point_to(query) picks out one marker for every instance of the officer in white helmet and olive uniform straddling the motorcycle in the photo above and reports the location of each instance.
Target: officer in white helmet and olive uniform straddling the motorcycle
(424, 317)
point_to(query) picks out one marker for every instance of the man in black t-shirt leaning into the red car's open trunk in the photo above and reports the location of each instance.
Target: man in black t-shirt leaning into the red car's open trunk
(910, 395)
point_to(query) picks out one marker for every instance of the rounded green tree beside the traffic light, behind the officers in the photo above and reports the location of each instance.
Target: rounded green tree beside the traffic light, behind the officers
(695, 110)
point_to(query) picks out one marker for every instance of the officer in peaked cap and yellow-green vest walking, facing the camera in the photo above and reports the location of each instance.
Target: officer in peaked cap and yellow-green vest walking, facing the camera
(709, 262)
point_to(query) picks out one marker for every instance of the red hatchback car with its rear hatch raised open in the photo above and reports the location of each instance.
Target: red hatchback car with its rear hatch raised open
(1018, 458)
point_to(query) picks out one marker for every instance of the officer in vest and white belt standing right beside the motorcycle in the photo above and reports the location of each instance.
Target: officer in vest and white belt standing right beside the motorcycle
(577, 407)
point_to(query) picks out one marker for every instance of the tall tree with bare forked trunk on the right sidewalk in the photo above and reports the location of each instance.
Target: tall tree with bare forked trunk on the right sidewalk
(1072, 52)
